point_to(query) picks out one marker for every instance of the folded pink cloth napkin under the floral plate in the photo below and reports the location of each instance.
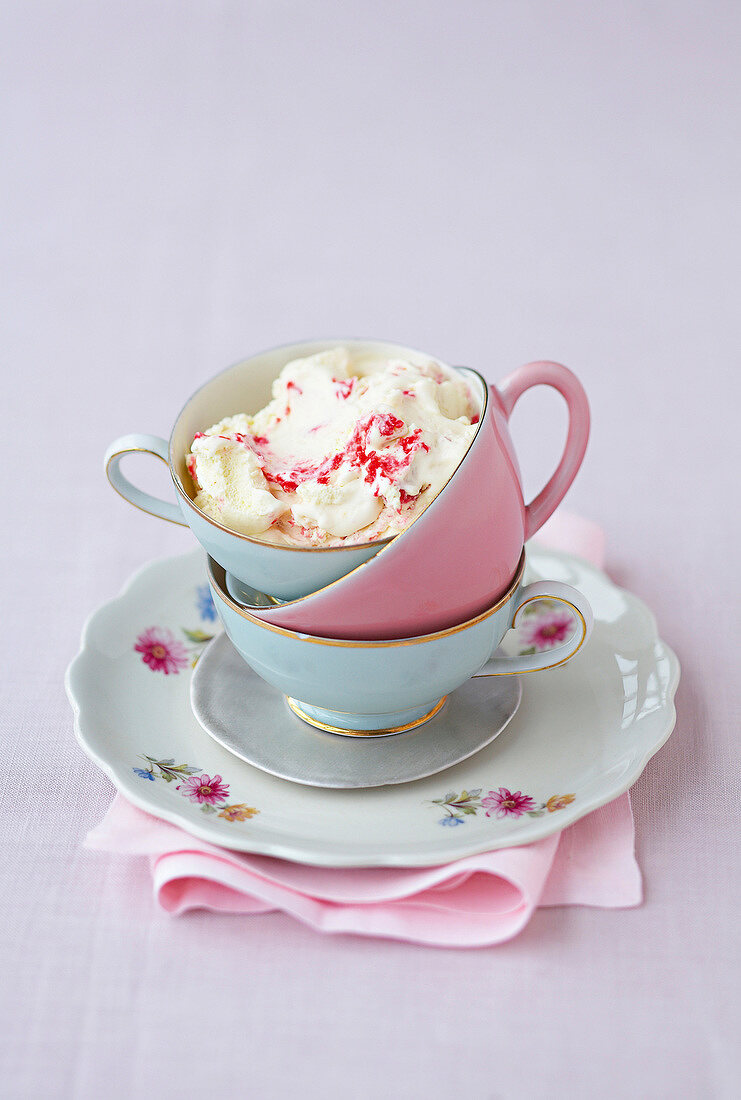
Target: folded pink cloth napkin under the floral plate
(472, 903)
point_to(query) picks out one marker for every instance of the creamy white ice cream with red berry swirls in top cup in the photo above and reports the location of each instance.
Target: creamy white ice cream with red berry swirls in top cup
(350, 450)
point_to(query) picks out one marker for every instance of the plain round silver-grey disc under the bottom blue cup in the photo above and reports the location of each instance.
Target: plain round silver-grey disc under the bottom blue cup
(250, 719)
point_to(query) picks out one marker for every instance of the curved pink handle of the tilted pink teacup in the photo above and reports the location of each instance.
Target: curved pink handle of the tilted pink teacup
(552, 375)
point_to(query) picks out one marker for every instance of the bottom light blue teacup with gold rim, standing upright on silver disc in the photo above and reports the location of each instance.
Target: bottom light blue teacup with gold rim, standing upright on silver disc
(382, 688)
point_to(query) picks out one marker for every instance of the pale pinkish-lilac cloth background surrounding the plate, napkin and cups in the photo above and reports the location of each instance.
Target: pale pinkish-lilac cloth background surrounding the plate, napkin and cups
(184, 183)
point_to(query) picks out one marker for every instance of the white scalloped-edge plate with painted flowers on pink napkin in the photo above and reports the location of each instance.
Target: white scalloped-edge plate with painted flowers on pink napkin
(582, 735)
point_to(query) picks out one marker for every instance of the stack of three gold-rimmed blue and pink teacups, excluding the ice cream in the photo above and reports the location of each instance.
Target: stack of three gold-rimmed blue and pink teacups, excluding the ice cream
(371, 639)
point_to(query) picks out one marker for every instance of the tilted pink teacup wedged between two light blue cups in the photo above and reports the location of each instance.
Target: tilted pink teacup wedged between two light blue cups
(462, 553)
